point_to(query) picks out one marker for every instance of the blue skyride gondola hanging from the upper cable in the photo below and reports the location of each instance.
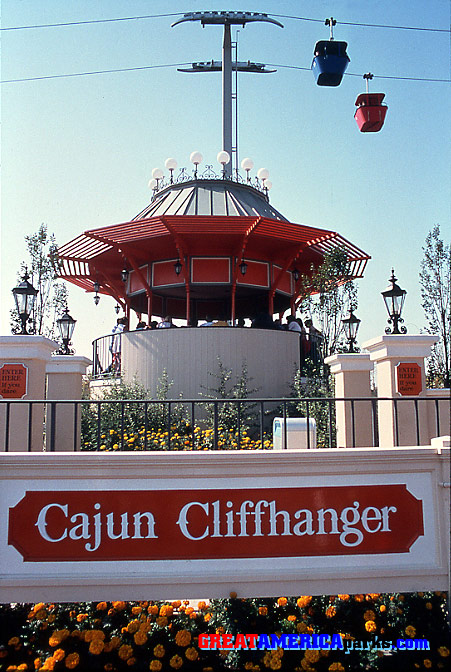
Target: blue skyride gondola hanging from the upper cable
(330, 59)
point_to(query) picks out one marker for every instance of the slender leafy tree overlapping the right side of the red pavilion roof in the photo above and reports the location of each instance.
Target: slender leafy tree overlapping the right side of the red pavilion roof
(327, 292)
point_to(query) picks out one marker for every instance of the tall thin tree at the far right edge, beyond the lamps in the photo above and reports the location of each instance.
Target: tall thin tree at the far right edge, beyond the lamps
(435, 282)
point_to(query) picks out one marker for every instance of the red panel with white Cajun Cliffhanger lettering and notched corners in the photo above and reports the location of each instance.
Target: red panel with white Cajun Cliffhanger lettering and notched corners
(201, 524)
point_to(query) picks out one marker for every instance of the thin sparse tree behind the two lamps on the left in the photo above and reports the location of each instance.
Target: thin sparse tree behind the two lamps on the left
(42, 266)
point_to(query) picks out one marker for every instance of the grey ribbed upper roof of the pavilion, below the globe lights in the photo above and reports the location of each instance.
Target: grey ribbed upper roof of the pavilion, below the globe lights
(210, 197)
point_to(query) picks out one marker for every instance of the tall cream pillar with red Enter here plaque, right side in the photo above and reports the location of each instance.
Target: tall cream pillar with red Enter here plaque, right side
(405, 422)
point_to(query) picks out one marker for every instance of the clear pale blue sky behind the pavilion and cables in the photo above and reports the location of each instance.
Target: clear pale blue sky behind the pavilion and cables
(78, 152)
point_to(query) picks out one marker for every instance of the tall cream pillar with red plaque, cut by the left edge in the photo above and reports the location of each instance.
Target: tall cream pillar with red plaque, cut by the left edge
(22, 424)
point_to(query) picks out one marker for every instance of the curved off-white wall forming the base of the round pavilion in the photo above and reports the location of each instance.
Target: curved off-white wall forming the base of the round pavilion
(190, 355)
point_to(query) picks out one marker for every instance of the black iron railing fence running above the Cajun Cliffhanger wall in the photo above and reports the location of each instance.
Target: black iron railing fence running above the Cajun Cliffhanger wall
(216, 424)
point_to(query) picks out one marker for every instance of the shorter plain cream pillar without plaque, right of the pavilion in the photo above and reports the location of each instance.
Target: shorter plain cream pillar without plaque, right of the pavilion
(352, 380)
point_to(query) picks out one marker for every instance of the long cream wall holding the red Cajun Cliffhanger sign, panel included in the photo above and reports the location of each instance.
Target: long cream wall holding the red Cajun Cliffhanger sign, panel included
(87, 526)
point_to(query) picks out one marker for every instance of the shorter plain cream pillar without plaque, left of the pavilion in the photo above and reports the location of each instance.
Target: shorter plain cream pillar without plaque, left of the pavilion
(64, 381)
